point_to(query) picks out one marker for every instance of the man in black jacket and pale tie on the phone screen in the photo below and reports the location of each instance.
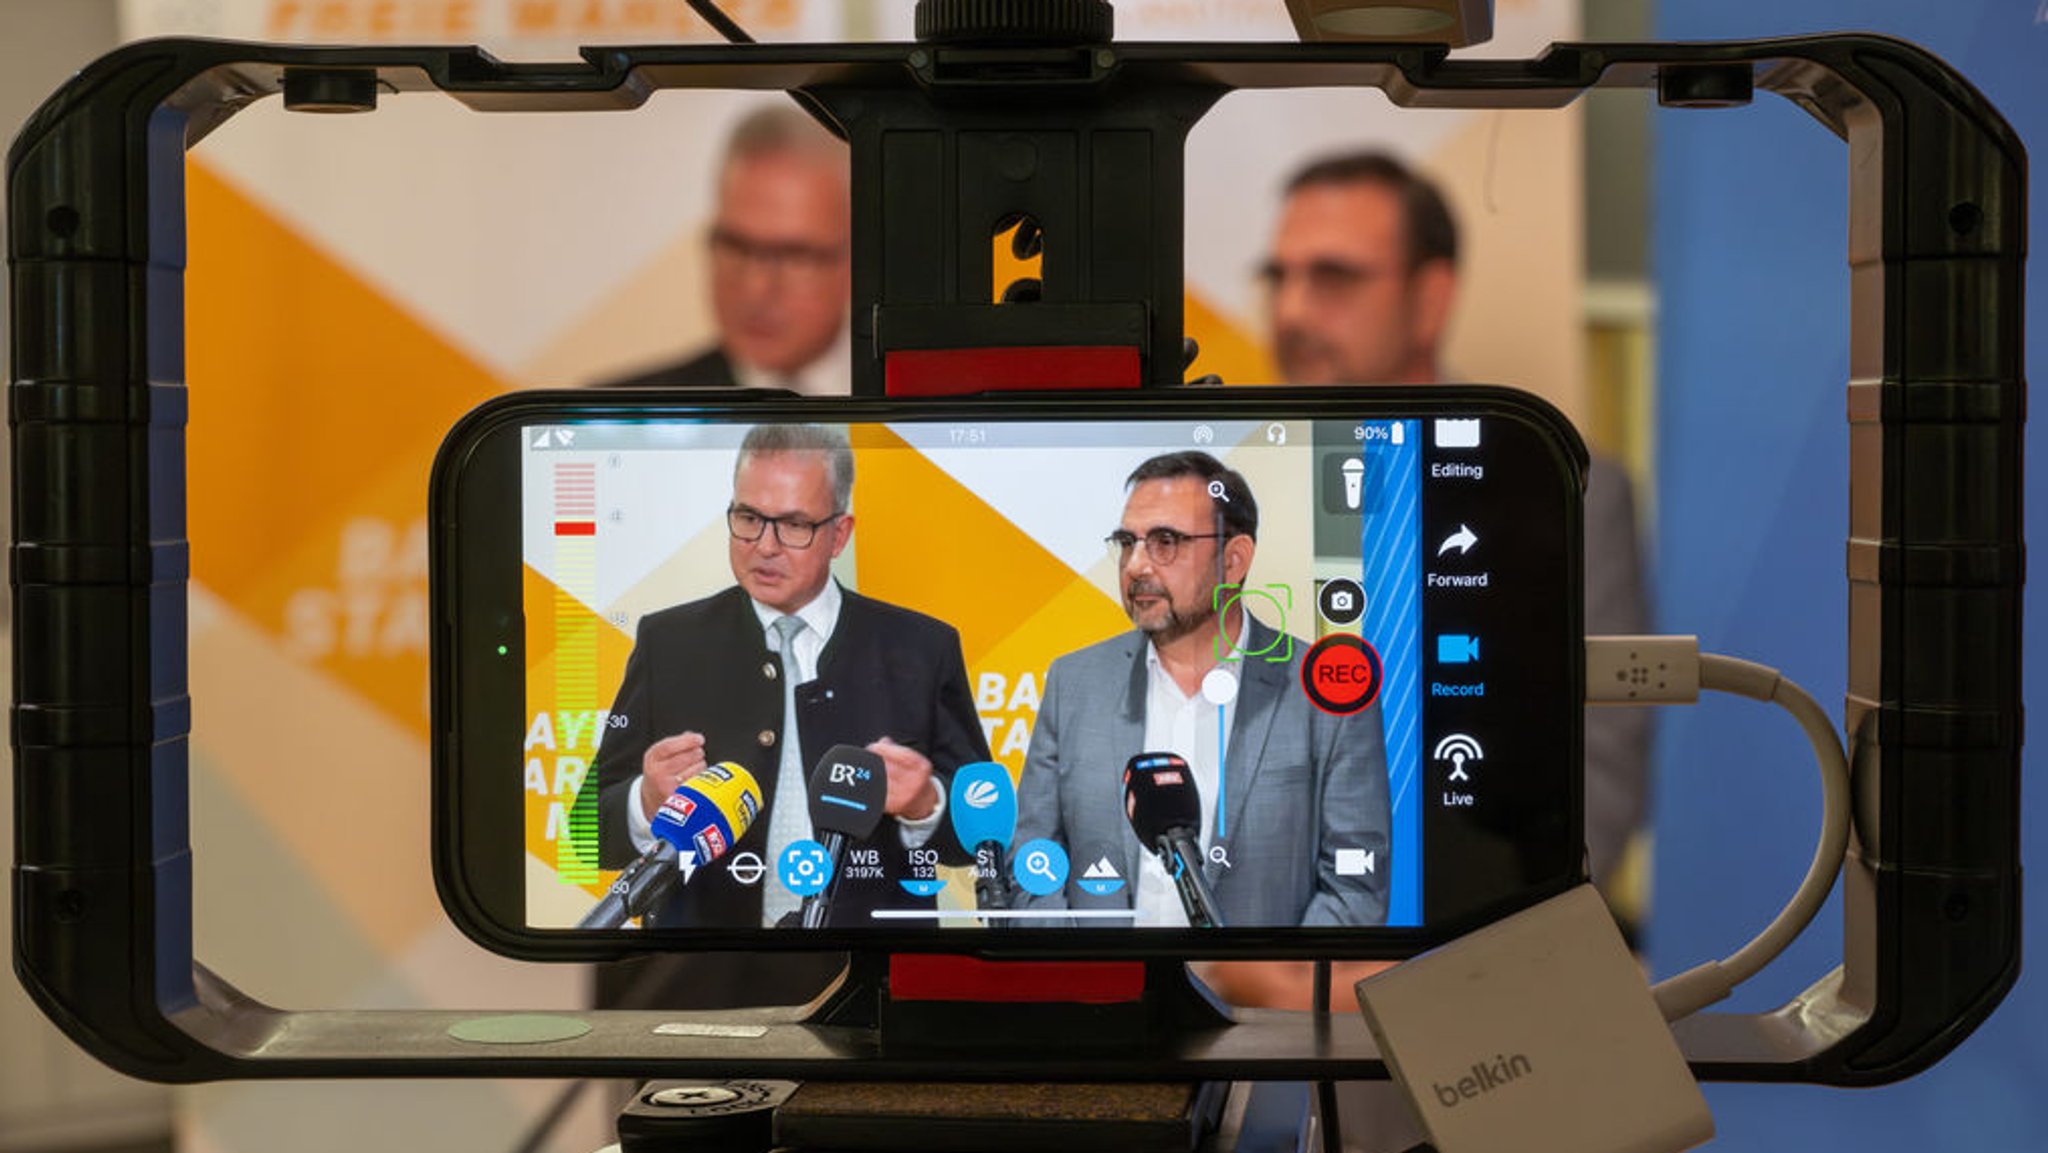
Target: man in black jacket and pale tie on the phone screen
(771, 675)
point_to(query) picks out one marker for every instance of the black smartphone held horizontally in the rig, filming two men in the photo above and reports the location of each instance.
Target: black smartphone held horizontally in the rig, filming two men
(1209, 673)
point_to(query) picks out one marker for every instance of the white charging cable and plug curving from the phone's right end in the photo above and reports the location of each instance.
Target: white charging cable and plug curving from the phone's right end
(1672, 671)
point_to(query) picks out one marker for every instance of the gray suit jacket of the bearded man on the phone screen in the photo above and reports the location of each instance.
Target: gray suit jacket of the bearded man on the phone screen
(1299, 785)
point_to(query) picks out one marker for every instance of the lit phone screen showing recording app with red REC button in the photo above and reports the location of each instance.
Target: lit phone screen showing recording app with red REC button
(1398, 599)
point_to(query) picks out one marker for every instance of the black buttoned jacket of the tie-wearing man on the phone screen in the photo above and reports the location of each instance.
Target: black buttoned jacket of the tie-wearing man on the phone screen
(708, 669)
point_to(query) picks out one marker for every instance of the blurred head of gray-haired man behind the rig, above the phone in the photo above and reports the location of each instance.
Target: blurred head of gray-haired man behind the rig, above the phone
(781, 263)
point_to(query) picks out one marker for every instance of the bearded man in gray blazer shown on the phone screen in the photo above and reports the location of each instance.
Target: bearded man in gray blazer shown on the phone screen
(1285, 787)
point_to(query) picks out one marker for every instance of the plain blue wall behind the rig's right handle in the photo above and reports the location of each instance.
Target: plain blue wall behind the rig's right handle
(1750, 263)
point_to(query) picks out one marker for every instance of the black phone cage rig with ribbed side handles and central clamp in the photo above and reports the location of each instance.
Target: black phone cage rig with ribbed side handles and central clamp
(947, 142)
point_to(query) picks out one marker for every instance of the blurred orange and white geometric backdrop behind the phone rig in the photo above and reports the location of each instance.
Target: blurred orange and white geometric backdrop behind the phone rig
(357, 284)
